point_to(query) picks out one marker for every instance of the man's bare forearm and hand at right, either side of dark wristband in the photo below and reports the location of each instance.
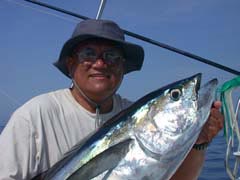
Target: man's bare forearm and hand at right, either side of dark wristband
(192, 165)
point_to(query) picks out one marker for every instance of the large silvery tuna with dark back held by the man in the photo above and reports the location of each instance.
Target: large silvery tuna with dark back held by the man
(148, 140)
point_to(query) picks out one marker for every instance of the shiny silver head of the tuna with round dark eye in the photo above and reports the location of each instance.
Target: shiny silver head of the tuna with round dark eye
(174, 118)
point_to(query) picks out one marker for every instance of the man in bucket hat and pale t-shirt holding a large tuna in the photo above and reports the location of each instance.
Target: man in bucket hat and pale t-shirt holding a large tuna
(43, 129)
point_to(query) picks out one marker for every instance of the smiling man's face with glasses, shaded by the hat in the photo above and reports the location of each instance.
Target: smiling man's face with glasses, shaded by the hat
(97, 68)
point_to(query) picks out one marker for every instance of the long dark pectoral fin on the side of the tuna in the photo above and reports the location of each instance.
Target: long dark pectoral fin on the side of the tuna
(106, 160)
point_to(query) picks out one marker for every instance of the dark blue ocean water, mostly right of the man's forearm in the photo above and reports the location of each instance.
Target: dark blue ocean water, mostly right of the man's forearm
(214, 165)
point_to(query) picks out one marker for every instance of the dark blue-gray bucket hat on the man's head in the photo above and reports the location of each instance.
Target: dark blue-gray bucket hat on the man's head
(103, 29)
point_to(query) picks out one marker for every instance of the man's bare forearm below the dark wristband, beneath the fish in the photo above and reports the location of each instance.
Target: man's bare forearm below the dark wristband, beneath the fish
(191, 166)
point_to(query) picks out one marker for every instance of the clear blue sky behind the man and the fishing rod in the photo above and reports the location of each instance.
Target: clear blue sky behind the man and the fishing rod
(32, 36)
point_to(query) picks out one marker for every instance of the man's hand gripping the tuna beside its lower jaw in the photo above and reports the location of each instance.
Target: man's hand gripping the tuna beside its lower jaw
(213, 125)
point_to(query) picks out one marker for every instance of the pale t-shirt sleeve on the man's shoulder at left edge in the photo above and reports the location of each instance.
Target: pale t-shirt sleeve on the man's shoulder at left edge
(16, 149)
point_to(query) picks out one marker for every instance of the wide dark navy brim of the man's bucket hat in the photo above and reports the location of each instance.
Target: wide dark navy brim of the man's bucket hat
(134, 54)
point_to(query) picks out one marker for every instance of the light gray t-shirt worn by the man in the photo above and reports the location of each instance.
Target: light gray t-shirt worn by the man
(43, 129)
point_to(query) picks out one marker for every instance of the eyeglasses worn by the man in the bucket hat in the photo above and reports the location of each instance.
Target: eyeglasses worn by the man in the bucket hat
(111, 56)
